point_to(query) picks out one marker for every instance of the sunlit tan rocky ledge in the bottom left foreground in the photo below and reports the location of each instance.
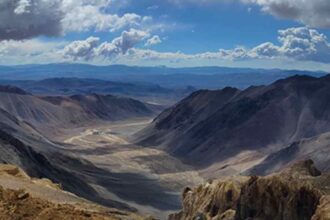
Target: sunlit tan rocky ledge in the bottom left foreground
(26, 198)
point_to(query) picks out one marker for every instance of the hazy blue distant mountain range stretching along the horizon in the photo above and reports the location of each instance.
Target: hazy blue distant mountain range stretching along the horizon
(198, 77)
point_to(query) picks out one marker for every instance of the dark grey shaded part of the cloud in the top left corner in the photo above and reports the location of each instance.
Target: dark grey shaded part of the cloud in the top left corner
(22, 19)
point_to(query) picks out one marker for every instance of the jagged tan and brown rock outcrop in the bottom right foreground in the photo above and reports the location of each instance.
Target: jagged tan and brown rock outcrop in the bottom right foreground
(299, 192)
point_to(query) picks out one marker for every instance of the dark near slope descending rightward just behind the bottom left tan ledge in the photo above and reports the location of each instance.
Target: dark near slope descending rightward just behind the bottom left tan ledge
(23, 146)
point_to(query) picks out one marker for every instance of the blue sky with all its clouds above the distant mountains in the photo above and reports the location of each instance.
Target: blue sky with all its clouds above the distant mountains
(288, 34)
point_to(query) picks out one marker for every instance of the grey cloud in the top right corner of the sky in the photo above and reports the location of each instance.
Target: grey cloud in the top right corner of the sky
(313, 13)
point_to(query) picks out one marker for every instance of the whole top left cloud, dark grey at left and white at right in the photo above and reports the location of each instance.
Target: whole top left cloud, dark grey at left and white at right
(24, 19)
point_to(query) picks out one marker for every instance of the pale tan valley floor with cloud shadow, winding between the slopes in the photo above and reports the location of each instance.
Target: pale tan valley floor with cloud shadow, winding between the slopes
(147, 179)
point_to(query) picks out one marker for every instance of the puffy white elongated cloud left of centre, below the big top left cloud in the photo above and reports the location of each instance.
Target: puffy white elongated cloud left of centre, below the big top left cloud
(92, 48)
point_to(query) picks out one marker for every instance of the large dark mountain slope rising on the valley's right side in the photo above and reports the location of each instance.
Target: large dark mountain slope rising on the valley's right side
(212, 126)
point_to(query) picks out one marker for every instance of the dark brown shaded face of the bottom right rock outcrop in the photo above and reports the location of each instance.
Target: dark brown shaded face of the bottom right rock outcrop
(273, 198)
